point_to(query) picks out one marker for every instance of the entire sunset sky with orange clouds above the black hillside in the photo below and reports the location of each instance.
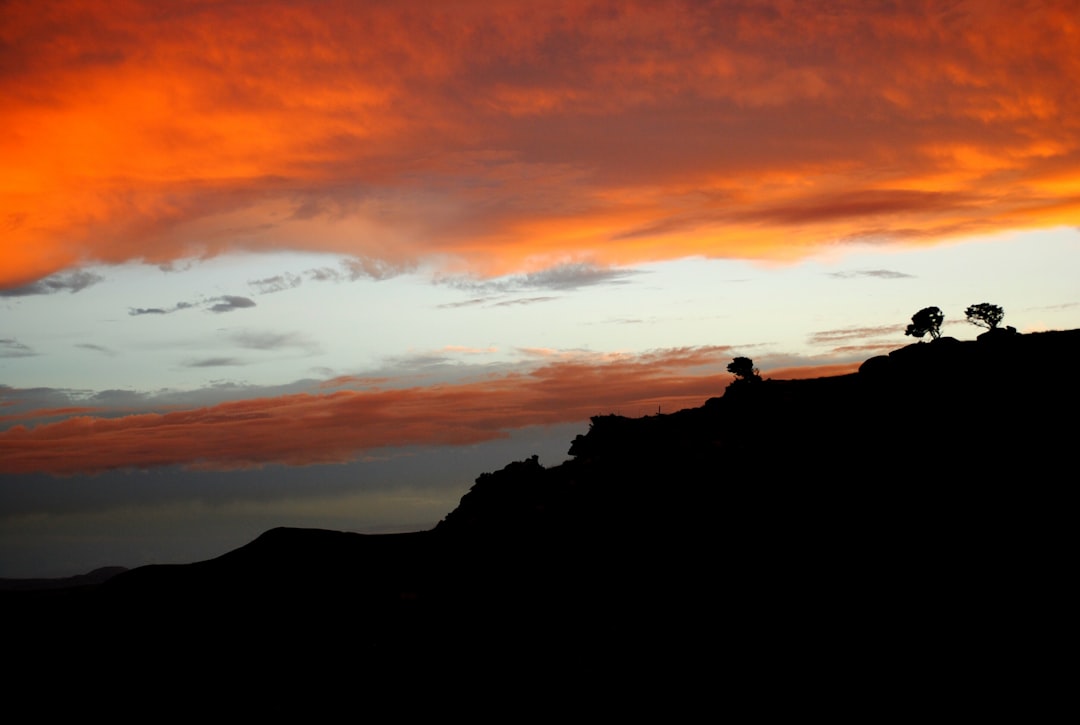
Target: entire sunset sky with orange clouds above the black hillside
(323, 264)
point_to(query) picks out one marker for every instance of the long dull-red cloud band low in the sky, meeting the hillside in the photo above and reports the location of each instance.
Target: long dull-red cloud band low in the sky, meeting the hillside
(337, 427)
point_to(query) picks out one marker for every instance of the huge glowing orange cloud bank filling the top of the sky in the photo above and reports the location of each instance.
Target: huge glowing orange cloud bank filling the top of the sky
(502, 137)
